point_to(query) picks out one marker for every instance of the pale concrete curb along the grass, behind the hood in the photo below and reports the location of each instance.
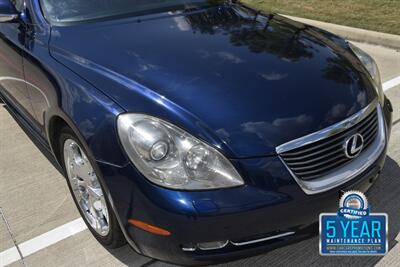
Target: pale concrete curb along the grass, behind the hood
(354, 34)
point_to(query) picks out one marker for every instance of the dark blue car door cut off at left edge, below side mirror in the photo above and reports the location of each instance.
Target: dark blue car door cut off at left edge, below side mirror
(12, 81)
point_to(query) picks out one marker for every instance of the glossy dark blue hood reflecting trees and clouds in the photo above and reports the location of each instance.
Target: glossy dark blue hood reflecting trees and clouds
(252, 81)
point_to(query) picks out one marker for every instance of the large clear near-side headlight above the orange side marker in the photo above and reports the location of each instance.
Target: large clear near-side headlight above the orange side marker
(170, 157)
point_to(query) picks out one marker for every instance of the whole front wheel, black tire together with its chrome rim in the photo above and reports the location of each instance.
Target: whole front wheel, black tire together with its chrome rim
(106, 230)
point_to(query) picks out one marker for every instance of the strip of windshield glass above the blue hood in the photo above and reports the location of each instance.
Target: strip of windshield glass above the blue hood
(80, 10)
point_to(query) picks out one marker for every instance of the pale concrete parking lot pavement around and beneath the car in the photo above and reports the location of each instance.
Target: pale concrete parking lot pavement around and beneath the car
(38, 214)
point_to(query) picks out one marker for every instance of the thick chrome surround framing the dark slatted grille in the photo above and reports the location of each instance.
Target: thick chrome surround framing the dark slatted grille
(352, 169)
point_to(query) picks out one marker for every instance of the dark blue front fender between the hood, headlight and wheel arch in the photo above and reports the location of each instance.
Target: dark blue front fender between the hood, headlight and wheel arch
(89, 113)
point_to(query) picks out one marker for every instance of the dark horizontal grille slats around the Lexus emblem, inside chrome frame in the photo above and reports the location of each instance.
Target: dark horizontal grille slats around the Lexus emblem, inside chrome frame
(314, 160)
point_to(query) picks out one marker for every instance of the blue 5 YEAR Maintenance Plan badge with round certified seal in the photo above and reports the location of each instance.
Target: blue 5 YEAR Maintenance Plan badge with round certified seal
(353, 230)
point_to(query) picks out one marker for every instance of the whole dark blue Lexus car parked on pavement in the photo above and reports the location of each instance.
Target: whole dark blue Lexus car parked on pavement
(197, 131)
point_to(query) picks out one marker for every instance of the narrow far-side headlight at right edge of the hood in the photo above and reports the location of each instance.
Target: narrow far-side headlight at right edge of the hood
(371, 66)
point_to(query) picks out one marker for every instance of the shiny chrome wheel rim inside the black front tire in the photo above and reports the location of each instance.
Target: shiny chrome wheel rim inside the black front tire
(86, 187)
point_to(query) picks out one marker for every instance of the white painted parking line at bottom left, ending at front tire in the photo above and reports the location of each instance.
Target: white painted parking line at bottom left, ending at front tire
(42, 241)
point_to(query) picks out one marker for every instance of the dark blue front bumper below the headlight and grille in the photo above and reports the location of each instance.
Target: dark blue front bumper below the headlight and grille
(270, 204)
